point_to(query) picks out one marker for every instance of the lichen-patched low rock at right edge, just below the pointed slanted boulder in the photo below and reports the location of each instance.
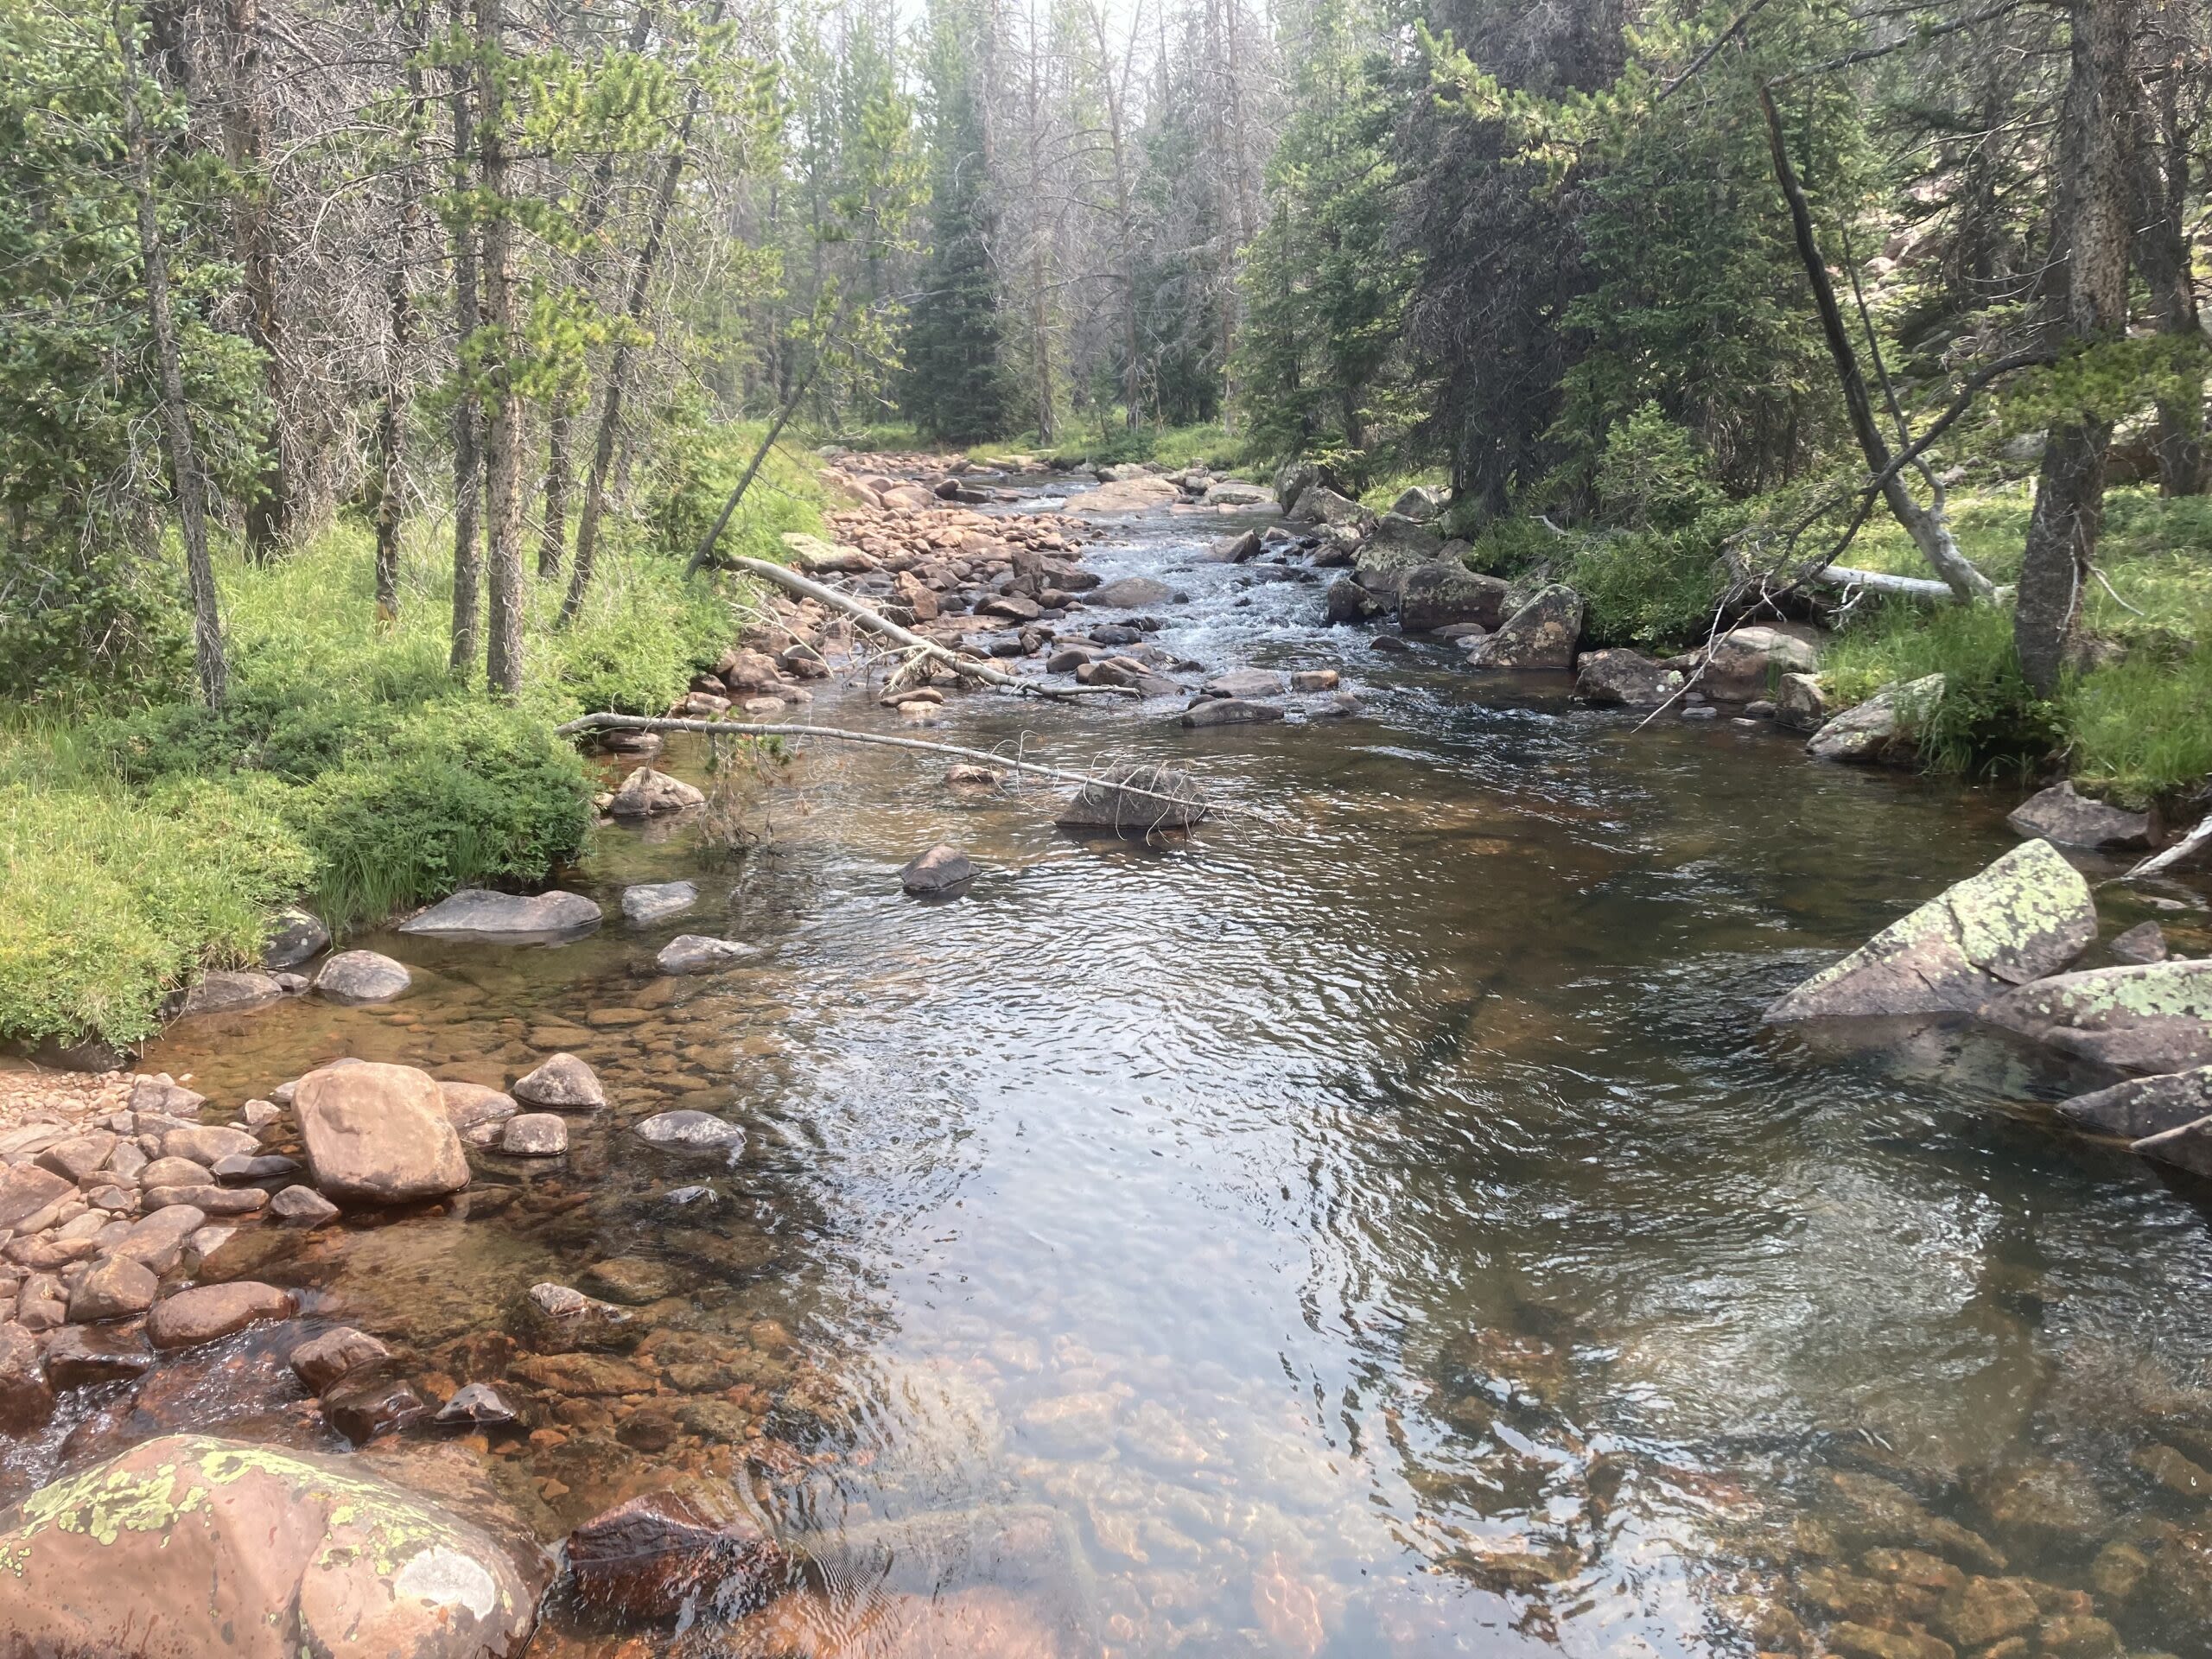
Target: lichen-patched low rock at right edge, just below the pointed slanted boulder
(2153, 1019)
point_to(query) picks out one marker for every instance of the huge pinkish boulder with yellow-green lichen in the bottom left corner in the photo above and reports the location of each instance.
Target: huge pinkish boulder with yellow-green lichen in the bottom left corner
(194, 1545)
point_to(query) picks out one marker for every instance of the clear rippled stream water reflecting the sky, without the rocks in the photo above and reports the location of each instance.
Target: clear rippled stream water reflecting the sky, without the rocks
(1375, 1224)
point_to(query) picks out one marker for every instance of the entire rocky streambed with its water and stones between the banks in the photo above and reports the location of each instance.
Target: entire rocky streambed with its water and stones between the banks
(1377, 1222)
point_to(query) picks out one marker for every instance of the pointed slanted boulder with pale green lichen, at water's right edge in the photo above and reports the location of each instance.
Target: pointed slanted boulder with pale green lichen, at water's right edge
(2025, 917)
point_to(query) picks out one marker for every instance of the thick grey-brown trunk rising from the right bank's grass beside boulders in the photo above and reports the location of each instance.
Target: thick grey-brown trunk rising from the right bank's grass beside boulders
(2094, 253)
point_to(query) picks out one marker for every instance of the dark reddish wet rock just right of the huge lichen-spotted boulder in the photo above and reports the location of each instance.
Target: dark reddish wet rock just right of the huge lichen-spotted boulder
(662, 1554)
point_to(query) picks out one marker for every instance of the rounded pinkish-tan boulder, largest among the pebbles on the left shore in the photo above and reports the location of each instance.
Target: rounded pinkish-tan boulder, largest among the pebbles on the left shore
(379, 1136)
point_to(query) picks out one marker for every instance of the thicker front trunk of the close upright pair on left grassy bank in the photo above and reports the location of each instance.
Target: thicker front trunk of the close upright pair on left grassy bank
(503, 428)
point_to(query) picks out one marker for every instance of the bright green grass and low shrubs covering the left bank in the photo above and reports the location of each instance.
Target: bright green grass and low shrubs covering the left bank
(145, 837)
